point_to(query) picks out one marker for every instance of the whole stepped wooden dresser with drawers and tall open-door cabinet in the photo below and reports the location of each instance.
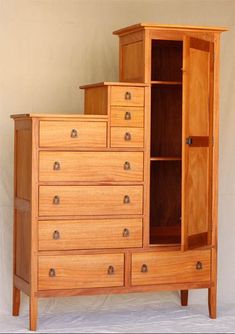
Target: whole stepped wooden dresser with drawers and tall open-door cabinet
(124, 198)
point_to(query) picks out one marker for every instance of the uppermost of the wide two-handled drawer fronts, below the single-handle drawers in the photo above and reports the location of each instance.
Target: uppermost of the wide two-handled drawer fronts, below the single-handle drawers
(91, 166)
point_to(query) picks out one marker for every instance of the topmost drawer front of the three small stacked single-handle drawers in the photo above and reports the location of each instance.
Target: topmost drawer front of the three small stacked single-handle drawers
(127, 96)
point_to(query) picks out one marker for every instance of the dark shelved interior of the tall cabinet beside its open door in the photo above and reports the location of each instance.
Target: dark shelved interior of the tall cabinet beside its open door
(166, 142)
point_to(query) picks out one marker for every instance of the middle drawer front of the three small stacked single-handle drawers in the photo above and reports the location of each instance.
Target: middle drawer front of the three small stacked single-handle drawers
(127, 116)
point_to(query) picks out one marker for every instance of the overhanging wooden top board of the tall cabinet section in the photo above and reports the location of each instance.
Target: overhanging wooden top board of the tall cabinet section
(156, 26)
